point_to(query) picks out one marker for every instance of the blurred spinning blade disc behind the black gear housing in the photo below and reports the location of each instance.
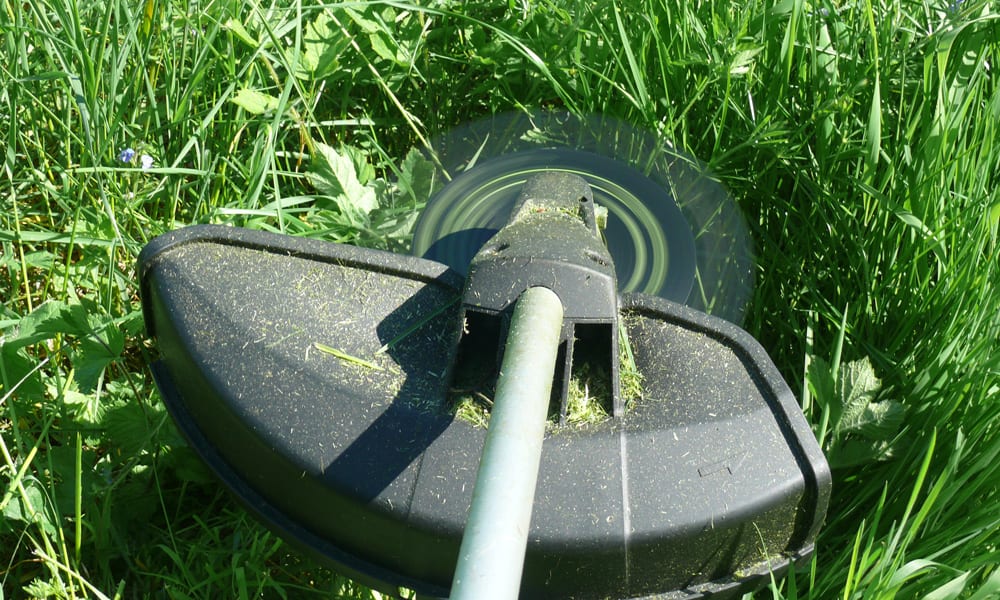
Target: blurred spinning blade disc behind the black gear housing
(672, 230)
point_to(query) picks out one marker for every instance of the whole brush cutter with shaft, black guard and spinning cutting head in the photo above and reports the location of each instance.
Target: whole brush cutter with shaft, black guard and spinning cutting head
(322, 383)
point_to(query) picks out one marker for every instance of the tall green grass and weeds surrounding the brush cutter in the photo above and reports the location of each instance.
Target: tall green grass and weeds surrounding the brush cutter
(860, 138)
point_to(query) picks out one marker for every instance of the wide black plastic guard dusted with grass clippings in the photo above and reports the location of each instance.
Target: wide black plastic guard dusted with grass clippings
(707, 482)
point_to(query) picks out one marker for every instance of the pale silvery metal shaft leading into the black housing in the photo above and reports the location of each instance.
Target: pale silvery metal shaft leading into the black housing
(492, 553)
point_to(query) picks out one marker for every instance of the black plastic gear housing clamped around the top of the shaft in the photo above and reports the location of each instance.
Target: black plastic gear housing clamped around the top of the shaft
(552, 240)
